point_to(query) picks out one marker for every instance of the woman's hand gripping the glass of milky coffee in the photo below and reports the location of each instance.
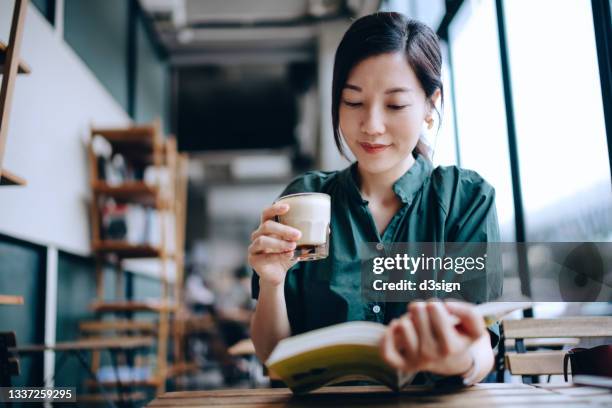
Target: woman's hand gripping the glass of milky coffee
(272, 246)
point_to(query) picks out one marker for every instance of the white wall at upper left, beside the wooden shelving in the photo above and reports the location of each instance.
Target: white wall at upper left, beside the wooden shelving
(52, 110)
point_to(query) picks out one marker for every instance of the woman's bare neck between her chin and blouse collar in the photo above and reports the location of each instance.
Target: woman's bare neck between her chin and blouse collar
(379, 186)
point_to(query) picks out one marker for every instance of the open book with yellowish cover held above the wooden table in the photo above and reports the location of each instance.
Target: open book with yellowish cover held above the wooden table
(349, 351)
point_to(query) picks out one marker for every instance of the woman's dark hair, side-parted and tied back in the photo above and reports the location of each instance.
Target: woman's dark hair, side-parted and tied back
(381, 33)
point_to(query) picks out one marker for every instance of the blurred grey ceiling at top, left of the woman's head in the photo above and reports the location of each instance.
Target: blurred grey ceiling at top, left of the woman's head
(200, 32)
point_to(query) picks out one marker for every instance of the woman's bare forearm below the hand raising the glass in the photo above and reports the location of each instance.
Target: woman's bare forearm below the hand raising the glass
(270, 323)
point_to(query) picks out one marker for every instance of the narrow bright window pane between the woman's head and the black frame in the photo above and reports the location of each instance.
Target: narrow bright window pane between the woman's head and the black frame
(480, 110)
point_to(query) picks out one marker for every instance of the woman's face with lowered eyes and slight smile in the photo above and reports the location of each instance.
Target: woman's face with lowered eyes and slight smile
(382, 111)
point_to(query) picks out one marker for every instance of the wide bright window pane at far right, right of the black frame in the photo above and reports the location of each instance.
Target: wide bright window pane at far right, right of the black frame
(559, 119)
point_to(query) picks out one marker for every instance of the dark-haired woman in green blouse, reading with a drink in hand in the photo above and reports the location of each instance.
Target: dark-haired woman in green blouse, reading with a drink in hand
(385, 86)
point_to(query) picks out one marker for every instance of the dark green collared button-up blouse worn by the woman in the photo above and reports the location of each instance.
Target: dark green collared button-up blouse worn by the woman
(445, 204)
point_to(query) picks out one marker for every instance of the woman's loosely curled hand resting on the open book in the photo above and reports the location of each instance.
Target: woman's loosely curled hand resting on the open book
(434, 337)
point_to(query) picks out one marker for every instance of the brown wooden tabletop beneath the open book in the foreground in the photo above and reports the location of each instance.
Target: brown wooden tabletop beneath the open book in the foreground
(480, 395)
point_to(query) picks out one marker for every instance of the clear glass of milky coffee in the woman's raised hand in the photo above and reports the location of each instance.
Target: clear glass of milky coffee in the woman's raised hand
(310, 213)
